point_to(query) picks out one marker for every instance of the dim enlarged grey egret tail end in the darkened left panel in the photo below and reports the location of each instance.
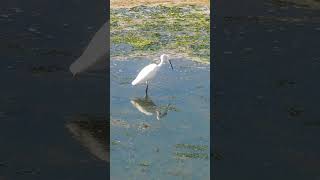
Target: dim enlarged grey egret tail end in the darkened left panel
(95, 53)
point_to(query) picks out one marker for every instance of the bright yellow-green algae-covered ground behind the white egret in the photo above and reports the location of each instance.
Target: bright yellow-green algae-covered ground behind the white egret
(182, 30)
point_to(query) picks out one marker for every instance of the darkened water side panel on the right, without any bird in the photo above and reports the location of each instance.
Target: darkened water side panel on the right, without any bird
(266, 63)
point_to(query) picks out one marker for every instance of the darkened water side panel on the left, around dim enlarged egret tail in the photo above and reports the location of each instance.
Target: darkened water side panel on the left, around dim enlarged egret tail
(39, 41)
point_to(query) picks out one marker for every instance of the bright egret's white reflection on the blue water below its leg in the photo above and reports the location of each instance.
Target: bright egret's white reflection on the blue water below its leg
(146, 106)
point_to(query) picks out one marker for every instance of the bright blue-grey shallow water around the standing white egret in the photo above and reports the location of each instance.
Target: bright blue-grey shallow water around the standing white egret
(163, 136)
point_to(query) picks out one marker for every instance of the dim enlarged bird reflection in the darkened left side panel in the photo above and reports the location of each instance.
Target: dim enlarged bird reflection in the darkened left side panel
(92, 133)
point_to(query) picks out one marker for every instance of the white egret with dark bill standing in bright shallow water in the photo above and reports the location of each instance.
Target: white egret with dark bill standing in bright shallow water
(148, 72)
